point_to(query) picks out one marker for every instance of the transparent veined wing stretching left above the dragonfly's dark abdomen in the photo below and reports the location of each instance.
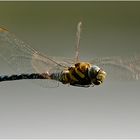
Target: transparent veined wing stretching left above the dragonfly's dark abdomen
(24, 59)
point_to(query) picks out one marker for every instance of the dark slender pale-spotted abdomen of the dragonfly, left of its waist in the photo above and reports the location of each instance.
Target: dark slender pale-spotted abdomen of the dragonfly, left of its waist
(22, 76)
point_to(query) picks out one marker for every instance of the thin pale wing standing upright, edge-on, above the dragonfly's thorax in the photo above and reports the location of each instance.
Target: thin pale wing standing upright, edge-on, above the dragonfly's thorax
(78, 40)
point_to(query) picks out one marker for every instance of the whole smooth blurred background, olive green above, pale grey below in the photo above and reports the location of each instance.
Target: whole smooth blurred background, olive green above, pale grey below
(108, 111)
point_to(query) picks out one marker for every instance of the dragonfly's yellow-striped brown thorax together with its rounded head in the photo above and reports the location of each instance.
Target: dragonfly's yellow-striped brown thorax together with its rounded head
(82, 73)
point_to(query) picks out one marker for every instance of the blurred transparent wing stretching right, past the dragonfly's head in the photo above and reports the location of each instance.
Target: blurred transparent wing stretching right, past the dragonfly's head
(120, 68)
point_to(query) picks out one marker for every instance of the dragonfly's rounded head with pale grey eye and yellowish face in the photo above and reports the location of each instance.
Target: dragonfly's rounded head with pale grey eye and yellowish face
(96, 75)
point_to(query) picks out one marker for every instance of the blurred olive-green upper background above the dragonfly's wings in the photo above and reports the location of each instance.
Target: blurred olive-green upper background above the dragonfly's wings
(109, 28)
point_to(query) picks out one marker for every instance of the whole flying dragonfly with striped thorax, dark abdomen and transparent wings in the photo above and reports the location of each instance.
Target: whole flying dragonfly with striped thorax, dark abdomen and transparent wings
(29, 63)
